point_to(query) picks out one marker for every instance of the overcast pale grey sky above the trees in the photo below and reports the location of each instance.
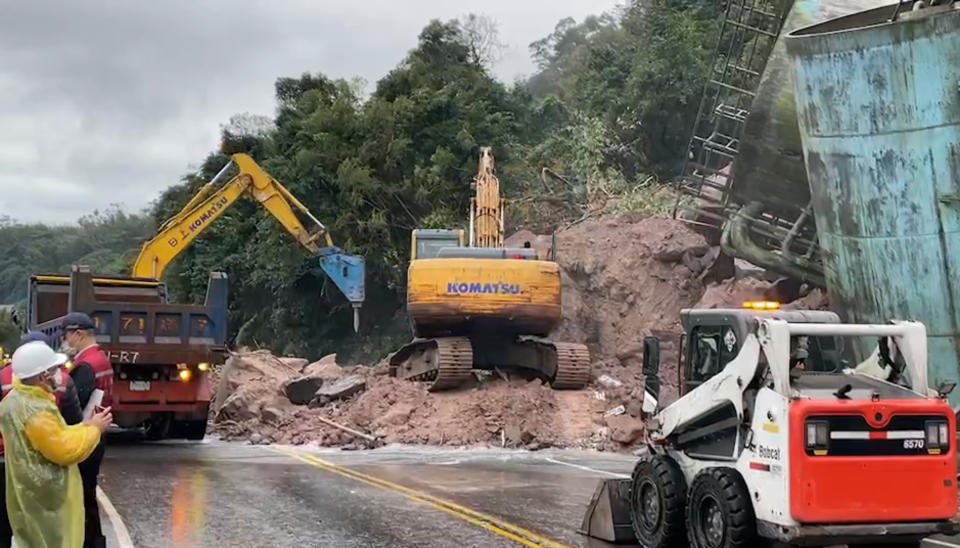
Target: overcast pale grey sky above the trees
(107, 102)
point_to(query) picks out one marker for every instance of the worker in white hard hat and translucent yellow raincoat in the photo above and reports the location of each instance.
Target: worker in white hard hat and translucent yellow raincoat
(43, 490)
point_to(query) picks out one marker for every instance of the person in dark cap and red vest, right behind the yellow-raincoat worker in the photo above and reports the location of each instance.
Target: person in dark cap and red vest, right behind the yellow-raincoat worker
(91, 370)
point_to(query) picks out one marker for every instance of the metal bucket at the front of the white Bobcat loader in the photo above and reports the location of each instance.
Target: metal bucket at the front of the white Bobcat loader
(608, 516)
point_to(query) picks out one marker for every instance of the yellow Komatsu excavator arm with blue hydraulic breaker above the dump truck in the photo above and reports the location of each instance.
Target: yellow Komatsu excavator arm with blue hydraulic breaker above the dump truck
(178, 232)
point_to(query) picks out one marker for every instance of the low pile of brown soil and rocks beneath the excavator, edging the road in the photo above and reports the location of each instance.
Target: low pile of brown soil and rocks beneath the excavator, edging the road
(493, 411)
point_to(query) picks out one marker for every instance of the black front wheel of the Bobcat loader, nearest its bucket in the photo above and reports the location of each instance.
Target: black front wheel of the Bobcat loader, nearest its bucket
(657, 496)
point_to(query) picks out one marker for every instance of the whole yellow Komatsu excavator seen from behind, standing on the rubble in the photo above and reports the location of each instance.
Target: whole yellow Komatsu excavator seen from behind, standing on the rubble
(474, 303)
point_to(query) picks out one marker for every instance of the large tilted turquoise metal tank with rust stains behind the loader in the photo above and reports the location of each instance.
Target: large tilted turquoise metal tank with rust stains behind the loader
(879, 114)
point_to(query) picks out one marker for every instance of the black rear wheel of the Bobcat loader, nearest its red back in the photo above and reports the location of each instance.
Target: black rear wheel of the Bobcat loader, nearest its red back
(719, 511)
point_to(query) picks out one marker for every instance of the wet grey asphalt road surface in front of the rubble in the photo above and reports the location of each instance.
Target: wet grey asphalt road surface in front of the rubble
(215, 494)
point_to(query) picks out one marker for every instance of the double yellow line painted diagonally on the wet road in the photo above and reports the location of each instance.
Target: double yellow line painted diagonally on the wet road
(480, 519)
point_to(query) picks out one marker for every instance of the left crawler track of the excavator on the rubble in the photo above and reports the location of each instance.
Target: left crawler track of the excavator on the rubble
(444, 362)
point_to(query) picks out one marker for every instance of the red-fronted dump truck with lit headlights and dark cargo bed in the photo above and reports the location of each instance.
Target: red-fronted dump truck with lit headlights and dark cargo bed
(162, 352)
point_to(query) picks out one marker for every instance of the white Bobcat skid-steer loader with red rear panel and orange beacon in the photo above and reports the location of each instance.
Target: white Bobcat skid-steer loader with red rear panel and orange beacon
(781, 436)
